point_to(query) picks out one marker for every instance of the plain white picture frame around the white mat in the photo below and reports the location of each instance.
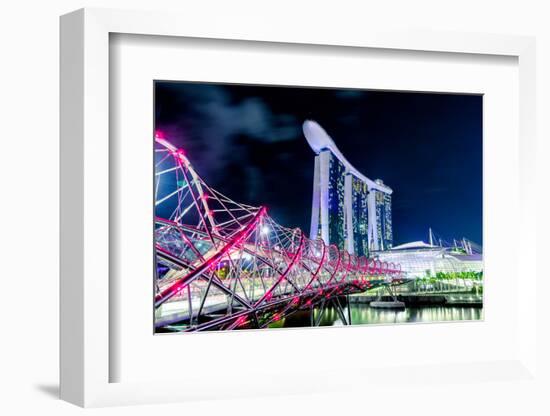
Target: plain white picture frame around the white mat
(86, 355)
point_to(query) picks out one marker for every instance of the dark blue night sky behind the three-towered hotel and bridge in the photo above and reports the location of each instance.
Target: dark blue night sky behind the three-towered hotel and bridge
(247, 142)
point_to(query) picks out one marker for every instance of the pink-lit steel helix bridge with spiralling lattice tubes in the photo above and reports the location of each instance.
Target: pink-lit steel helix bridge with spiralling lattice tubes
(226, 265)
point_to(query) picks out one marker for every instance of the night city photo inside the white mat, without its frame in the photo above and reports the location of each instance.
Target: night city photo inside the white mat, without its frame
(292, 207)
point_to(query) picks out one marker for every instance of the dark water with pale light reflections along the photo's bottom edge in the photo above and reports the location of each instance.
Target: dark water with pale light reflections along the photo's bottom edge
(364, 314)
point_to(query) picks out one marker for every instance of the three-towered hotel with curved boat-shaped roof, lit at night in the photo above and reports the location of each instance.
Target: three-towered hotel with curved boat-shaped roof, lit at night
(349, 209)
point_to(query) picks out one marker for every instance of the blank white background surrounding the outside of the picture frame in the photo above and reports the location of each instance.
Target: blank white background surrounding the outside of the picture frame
(29, 202)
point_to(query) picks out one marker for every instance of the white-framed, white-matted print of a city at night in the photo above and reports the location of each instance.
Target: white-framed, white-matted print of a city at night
(222, 193)
